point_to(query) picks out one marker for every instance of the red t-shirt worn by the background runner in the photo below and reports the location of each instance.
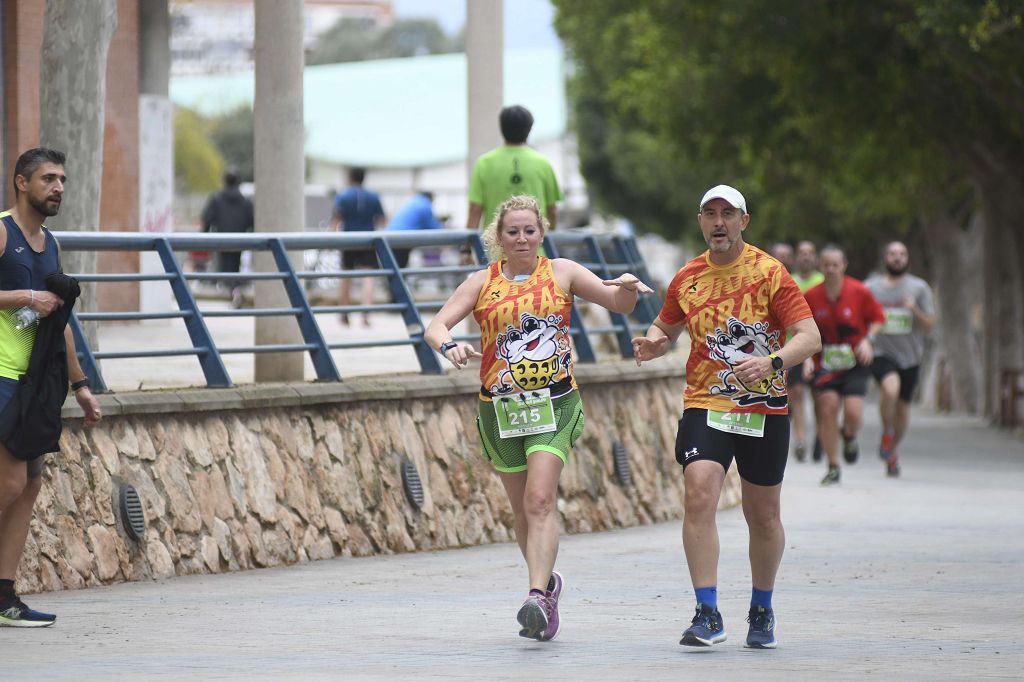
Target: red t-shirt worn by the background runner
(846, 320)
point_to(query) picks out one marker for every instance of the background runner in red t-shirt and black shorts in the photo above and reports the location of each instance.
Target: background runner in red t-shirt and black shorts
(848, 318)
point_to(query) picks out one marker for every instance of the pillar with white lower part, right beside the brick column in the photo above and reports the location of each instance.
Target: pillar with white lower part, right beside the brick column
(156, 147)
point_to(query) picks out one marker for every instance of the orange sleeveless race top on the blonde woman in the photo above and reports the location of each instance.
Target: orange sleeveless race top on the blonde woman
(525, 333)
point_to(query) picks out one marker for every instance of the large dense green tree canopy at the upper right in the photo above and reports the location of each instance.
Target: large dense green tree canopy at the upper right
(839, 121)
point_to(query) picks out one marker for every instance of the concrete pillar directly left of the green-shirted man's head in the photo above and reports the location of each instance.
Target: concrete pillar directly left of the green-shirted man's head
(485, 82)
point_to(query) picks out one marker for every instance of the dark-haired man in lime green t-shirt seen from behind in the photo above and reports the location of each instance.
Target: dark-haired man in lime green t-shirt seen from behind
(511, 170)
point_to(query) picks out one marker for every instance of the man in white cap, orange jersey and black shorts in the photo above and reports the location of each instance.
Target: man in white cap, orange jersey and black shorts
(740, 306)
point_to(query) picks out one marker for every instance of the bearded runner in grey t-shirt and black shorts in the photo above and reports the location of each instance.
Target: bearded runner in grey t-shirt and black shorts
(900, 347)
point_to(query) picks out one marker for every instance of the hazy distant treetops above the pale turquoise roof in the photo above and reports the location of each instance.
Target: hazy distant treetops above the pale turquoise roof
(358, 40)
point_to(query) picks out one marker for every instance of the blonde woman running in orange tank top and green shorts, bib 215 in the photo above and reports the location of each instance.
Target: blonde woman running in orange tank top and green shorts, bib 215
(530, 410)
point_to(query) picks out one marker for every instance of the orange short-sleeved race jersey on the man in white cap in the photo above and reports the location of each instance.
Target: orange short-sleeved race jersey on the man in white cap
(733, 313)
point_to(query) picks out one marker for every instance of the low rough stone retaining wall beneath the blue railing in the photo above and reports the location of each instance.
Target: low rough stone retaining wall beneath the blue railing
(270, 476)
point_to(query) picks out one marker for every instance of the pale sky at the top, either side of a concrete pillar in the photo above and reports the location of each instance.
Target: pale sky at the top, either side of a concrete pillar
(528, 23)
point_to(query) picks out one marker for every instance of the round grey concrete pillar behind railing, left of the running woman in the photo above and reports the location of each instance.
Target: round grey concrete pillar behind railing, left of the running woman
(280, 169)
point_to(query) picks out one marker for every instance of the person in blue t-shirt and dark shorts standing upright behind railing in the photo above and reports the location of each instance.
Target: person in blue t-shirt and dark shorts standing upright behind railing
(357, 209)
